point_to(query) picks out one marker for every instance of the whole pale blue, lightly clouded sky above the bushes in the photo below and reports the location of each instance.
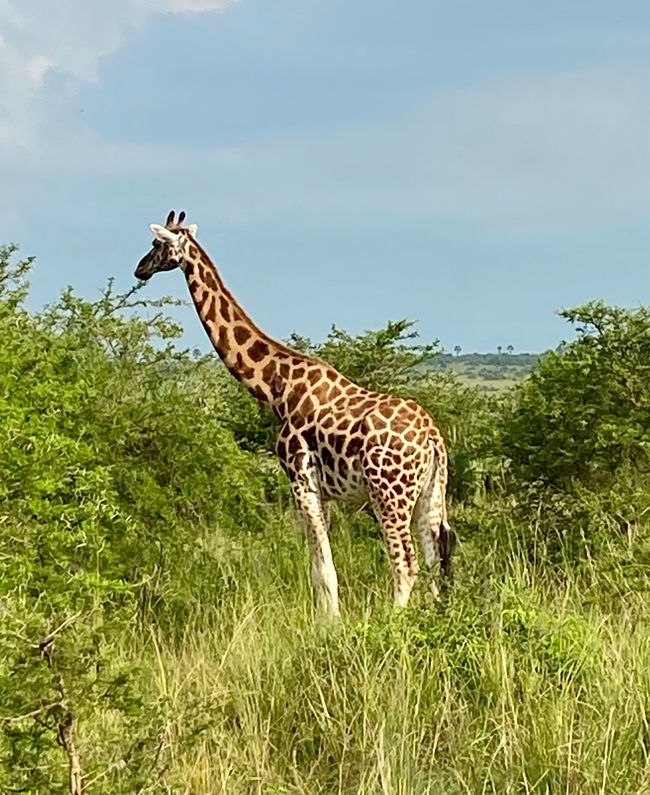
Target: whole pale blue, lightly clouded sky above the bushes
(473, 166)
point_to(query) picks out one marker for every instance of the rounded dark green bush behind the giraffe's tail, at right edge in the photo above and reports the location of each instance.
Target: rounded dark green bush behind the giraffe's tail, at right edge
(584, 414)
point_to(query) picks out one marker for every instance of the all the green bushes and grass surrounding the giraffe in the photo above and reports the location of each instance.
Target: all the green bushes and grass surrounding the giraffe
(157, 633)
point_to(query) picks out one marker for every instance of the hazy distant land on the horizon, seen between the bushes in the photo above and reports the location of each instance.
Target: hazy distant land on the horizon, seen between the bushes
(493, 371)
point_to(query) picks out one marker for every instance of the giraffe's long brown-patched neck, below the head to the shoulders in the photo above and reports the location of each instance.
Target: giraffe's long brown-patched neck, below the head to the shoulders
(259, 362)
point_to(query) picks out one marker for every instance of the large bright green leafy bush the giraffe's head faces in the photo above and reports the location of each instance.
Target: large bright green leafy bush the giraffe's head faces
(109, 446)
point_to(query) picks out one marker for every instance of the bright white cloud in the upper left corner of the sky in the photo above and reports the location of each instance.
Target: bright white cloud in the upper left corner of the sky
(41, 38)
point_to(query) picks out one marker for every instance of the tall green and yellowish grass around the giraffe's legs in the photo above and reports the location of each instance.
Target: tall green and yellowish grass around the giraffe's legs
(521, 681)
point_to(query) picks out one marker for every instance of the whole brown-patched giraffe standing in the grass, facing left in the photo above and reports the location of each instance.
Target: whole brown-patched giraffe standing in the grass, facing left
(337, 440)
